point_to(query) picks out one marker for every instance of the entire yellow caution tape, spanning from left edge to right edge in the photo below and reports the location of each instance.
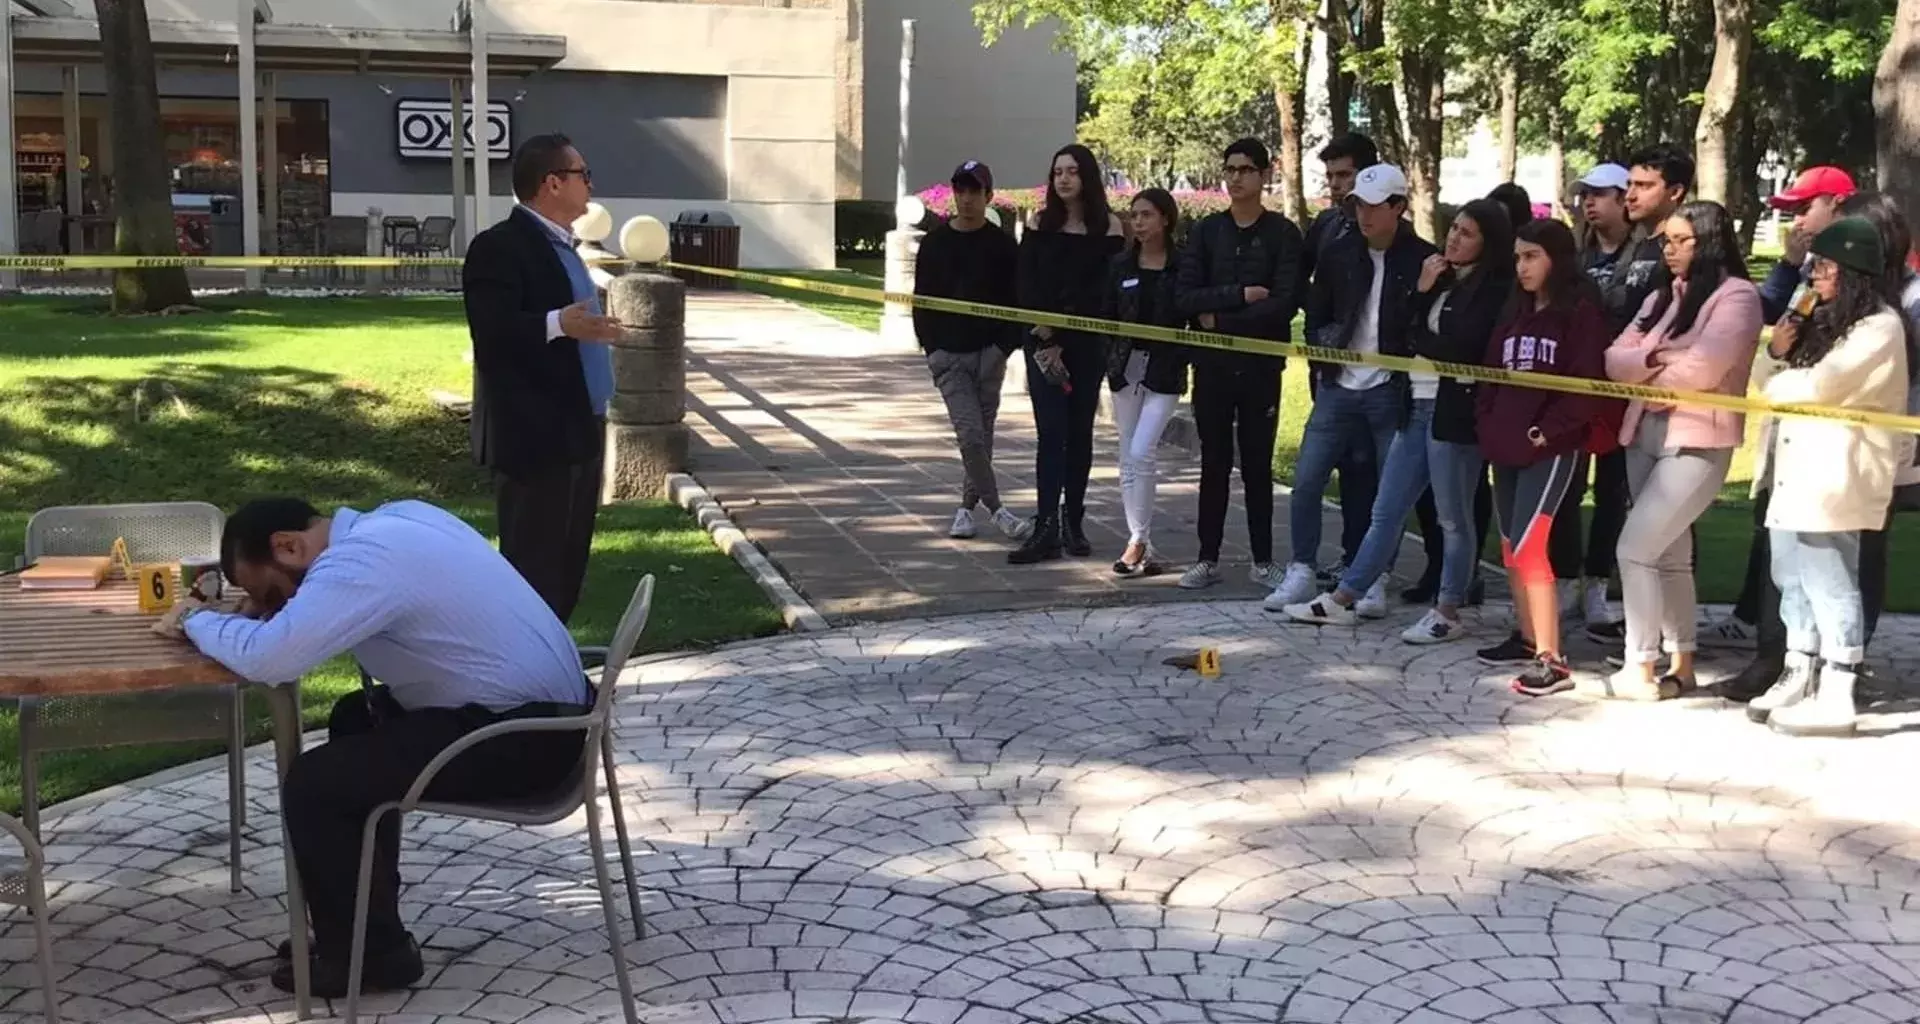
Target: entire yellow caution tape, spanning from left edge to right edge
(1034, 318)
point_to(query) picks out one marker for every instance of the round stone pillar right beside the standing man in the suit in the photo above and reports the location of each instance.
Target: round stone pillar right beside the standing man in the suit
(646, 431)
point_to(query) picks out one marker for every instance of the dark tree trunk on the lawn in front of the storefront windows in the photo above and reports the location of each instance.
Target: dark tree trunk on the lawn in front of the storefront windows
(143, 191)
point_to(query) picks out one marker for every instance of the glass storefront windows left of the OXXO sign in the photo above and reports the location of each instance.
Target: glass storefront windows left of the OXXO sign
(203, 139)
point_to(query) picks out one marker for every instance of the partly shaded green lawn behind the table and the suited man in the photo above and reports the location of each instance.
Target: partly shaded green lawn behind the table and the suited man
(320, 399)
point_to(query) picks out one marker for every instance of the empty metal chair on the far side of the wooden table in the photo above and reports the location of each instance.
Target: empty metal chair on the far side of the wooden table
(160, 531)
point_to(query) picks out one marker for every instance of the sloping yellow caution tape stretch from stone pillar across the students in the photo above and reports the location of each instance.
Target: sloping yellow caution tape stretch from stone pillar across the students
(1403, 364)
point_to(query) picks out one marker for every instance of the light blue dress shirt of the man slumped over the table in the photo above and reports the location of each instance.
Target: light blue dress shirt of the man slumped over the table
(423, 602)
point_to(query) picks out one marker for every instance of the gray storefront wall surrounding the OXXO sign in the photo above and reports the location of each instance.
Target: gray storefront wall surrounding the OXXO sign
(644, 135)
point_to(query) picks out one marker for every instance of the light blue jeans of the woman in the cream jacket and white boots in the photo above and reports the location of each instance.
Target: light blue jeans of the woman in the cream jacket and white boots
(1819, 579)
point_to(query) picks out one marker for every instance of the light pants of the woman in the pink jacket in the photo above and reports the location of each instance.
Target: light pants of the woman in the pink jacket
(1671, 491)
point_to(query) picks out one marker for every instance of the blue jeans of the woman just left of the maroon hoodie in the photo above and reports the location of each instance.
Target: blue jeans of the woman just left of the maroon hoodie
(1414, 464)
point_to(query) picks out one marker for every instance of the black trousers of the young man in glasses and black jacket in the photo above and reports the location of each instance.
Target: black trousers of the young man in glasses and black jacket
(1237, 408)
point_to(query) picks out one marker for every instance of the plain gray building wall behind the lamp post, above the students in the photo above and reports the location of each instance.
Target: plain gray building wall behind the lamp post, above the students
(1009, 105)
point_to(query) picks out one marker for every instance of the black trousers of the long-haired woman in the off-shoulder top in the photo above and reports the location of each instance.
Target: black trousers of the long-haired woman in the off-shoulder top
(1063, 426)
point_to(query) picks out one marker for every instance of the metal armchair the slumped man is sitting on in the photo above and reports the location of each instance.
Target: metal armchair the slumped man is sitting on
(575, 794)
